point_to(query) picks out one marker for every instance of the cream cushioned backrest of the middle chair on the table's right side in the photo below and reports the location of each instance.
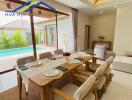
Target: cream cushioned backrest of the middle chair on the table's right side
(101, 69)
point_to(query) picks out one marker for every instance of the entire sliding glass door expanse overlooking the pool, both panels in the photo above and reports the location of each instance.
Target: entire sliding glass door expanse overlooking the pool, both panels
(17, 32)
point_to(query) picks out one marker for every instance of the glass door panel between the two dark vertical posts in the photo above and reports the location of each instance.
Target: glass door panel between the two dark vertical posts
(45, 31)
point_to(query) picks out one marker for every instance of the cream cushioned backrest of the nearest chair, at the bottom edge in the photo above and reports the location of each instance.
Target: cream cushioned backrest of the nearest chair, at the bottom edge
(85, 89)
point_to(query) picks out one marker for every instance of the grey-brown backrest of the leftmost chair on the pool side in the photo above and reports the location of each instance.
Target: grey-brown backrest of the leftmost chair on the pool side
(24, 60)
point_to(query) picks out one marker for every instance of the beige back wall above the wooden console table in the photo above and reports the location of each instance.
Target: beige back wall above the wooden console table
(103, 25)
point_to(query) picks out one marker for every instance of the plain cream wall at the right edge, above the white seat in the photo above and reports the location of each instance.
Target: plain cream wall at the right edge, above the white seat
(123, 31)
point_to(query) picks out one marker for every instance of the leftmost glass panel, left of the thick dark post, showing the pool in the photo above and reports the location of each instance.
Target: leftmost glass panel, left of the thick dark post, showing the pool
(15, 39)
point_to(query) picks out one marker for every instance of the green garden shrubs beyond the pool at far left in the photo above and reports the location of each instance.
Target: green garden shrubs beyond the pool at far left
(15, 40)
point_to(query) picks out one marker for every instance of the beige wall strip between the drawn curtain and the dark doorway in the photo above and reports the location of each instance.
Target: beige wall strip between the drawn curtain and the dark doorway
(83, 20)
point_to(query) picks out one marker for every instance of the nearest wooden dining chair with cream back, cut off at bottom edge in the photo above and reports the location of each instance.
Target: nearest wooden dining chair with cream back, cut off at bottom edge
(87, 91)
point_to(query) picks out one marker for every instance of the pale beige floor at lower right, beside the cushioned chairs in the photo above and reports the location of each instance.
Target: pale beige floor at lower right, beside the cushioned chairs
(120, 88)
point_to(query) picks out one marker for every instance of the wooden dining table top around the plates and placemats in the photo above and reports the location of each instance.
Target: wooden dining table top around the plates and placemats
(35, 75)
